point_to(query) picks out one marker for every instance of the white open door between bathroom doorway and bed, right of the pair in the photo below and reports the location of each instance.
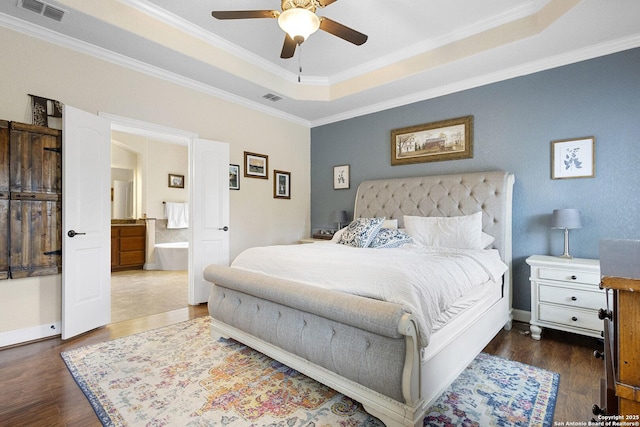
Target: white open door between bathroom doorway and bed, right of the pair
(209, 213)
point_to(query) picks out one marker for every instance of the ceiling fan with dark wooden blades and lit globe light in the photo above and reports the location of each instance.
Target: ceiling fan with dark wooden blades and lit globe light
(299, 20)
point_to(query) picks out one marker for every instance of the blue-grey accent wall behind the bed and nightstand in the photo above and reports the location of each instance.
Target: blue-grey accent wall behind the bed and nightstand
(514, 124)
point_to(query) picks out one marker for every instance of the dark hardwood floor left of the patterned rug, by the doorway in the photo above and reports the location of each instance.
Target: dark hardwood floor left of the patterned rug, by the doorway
(36, 388)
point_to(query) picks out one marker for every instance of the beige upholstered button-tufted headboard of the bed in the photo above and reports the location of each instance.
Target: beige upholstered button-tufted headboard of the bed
(444, 195)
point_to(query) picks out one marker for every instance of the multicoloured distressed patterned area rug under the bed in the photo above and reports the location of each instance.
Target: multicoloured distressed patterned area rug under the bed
(179, 376)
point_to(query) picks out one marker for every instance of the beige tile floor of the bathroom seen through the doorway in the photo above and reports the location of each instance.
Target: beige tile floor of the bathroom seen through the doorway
(139, 293)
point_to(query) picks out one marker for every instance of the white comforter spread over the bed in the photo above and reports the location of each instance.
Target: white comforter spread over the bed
(426, 281)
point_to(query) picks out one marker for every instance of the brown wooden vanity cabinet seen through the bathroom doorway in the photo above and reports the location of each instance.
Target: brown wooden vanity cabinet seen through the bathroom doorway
(128, 243)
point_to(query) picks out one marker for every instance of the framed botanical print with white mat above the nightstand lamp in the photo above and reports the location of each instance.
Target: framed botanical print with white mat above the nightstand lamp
(573, 158)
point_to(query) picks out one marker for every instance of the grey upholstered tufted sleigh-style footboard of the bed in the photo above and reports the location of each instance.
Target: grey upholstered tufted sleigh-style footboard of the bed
(364, 348)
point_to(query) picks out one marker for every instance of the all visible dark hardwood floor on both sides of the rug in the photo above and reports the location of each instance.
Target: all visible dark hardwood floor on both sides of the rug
(37, 389)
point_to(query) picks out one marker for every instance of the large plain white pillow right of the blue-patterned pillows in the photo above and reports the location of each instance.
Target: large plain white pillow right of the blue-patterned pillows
(462, 232)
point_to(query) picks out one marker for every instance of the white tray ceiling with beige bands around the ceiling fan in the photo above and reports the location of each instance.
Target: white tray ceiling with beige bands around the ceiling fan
(416, 49)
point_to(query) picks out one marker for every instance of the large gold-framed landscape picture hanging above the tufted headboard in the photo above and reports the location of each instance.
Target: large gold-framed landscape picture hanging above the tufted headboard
(433, 142)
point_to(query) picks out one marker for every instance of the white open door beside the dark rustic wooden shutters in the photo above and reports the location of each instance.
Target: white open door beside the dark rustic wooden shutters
(86, 179)
